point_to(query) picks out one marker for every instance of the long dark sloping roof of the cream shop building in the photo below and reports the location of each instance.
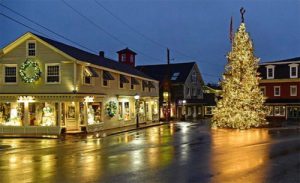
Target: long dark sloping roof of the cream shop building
(92, 58)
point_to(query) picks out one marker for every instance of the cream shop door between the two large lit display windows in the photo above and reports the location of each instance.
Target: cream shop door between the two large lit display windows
(71, 122)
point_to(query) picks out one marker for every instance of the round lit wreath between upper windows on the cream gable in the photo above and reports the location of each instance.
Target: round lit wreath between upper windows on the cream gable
(30, 71)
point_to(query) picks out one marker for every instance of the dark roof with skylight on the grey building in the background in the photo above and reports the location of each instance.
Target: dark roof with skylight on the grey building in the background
(159, 72)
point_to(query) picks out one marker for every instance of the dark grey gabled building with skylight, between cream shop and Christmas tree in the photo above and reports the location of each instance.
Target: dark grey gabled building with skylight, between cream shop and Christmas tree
(181, 85)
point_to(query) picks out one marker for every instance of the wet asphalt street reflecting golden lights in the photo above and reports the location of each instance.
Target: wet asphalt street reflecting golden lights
(179, 152)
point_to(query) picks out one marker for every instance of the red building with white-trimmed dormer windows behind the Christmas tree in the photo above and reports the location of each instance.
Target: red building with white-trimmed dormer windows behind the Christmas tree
(281, 85)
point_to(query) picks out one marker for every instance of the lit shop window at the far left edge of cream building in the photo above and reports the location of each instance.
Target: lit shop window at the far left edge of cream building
(11, 114)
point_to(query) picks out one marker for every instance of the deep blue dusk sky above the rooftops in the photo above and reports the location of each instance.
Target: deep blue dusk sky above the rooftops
(194, 30)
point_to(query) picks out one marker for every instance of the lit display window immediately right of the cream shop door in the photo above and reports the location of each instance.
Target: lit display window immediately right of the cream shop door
(94, 113)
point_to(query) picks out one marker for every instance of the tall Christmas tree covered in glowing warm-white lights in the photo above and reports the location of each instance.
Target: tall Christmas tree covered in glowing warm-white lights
(241, 103)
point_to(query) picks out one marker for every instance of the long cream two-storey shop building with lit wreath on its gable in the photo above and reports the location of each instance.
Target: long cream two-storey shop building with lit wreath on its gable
(47, 87)
